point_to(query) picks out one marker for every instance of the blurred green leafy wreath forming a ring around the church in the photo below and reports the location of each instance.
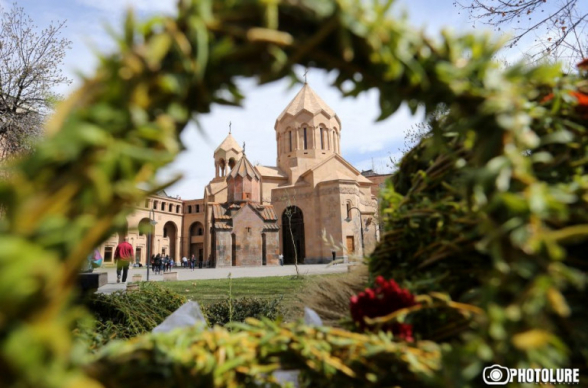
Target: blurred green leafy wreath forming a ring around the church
(491, 209)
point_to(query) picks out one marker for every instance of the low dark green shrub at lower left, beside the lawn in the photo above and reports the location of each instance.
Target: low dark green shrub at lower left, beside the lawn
(124, 315)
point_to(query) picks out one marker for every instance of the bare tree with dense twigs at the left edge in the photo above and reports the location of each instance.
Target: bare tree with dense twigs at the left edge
(30, 67)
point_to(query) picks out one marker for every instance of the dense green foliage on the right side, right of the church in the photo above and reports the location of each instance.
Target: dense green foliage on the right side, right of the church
(492, 211)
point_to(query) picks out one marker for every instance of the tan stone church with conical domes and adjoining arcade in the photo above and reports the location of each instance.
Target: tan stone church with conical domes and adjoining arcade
(312, 207)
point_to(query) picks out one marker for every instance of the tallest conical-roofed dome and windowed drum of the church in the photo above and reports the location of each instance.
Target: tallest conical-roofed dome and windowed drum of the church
(307, 132)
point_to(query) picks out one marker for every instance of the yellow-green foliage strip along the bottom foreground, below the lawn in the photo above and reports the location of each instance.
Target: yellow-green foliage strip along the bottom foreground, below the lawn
(246, 356)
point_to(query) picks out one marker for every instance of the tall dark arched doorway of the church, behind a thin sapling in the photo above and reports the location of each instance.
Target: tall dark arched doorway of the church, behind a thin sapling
(293, 235)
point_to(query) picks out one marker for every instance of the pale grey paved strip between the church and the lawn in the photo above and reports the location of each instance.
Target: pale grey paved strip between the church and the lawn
(219, 273)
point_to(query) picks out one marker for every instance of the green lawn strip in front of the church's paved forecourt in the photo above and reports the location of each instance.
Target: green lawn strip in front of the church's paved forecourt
(209, 291)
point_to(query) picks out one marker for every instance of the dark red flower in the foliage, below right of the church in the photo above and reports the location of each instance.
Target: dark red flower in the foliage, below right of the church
(382, 300)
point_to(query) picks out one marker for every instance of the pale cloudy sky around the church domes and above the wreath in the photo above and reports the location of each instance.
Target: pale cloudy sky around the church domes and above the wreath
(365, 143)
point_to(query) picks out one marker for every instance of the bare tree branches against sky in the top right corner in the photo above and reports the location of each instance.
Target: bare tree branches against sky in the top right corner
(559, 26)
